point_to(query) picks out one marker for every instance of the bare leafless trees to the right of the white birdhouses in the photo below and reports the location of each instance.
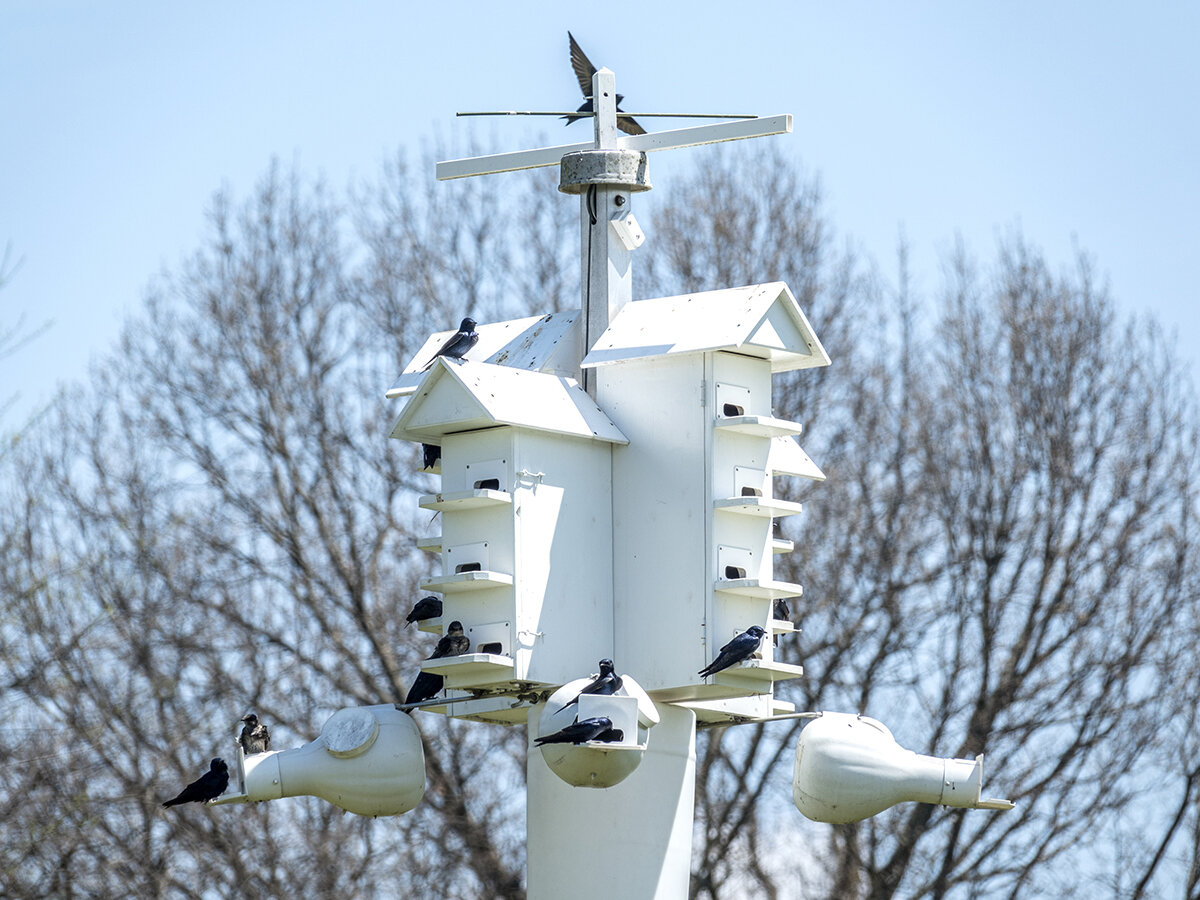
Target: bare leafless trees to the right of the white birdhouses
(998, 562)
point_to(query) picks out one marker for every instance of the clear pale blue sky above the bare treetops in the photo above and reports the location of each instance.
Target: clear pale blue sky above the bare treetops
(1076, 123)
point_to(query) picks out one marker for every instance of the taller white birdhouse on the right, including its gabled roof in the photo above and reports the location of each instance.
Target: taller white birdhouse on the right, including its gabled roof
(688, 381)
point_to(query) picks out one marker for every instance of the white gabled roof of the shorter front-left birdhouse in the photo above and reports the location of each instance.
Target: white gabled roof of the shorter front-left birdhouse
(459, 397)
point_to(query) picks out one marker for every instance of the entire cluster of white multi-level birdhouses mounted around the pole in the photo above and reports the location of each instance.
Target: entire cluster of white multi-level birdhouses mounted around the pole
(638, 525)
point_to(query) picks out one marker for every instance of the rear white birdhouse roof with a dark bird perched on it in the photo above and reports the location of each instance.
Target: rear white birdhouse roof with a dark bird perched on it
(536, 344)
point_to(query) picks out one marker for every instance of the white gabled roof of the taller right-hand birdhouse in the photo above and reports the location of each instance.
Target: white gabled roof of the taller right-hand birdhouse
(760, 321)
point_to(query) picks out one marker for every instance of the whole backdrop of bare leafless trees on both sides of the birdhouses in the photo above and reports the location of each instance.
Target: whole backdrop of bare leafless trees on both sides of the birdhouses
(1003, 560)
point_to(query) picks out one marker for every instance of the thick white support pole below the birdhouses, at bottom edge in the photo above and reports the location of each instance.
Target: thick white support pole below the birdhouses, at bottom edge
(632, 841)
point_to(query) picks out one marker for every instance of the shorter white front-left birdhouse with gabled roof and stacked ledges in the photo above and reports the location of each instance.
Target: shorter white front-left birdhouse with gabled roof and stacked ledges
(525, 541)
